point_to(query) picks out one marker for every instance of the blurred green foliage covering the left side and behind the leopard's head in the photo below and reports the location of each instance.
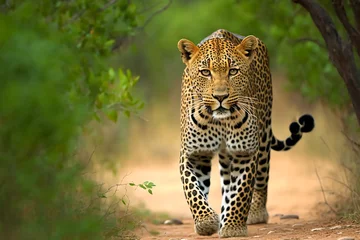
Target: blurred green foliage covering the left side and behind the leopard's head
(73, 71)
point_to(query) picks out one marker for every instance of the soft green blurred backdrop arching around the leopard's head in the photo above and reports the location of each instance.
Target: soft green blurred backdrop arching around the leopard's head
(295, 45)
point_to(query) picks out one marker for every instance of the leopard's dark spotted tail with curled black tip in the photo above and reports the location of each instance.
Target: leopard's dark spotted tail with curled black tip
(305, 124)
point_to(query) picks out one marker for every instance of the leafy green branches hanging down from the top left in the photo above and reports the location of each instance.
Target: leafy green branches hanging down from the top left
(89, 30)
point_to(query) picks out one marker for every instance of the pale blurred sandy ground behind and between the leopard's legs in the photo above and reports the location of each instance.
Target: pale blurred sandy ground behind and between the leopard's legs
(293, 189)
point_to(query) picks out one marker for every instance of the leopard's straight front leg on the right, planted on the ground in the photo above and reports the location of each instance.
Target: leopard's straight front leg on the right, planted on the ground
(238, 175)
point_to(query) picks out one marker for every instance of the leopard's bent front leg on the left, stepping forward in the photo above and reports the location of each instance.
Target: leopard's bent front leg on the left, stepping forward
(195, 176)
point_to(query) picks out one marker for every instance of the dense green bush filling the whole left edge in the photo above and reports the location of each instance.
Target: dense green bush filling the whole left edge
(55, 78)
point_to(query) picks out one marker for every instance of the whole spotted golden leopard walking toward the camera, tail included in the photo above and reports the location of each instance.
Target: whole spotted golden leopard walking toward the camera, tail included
(226, 106)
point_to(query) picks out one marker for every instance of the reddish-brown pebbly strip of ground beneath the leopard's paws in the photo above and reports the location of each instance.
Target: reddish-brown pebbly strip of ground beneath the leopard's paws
(289, 229)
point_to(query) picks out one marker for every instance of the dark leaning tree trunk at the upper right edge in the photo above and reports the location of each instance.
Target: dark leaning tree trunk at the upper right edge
(341, 53)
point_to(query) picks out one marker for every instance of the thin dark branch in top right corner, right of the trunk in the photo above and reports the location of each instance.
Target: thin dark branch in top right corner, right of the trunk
(353, 33)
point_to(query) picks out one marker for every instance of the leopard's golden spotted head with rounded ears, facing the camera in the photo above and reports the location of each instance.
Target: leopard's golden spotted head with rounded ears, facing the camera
(218, 74)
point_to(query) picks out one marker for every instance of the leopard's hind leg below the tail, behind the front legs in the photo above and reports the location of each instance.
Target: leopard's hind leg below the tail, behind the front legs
(258, 212)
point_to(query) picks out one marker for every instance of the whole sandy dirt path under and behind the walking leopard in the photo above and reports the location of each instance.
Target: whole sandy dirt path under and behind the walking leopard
(294, 189)
